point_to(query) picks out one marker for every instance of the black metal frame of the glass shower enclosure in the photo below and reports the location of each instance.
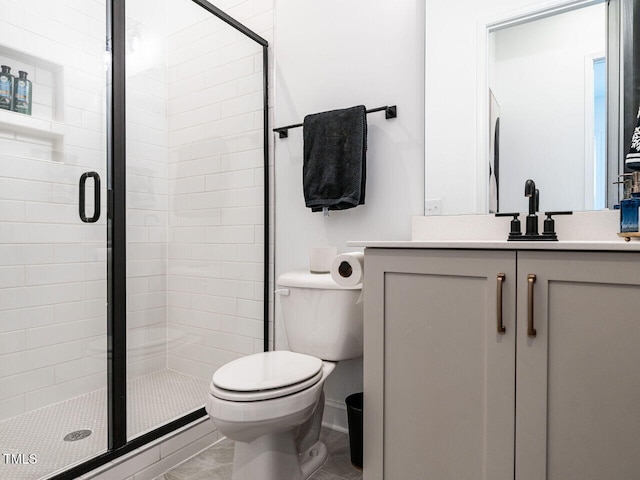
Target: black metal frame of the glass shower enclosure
(118, 444)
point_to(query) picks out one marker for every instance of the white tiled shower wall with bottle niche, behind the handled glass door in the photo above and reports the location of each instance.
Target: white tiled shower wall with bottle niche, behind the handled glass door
(52, 266)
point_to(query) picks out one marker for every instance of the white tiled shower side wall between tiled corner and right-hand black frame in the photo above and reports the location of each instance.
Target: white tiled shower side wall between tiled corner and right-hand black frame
(216, 184)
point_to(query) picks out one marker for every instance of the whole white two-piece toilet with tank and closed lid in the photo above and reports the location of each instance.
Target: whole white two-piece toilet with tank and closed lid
(272, 403)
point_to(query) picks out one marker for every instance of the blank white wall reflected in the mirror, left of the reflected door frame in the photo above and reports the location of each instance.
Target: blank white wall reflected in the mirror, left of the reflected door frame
(456, 64)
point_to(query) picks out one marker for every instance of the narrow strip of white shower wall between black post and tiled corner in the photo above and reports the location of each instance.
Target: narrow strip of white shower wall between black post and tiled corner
(147, 187)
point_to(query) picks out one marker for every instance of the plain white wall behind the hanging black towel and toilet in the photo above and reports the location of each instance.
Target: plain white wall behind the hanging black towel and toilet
(335, 54)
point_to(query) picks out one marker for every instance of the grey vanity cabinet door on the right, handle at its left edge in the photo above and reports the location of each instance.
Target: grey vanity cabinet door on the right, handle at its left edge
(578, 380)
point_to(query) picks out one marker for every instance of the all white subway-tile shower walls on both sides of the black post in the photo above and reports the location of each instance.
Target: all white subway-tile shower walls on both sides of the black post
(194, 196)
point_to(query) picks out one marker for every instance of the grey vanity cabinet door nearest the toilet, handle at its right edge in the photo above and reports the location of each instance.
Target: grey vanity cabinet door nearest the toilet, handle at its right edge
(439, 378)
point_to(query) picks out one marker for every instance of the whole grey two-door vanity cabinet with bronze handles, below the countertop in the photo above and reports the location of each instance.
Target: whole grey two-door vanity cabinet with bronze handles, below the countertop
(447, 396)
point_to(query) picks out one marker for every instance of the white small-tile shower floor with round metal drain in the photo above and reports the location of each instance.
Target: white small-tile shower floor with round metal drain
(152, 400)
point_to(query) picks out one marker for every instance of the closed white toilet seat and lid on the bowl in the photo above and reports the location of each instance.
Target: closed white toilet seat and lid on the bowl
(264, 376)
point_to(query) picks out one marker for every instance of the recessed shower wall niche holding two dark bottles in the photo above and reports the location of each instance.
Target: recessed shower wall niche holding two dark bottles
(47, 80)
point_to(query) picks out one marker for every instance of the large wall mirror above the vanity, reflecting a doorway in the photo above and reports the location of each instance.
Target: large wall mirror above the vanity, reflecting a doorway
(517, 91)
